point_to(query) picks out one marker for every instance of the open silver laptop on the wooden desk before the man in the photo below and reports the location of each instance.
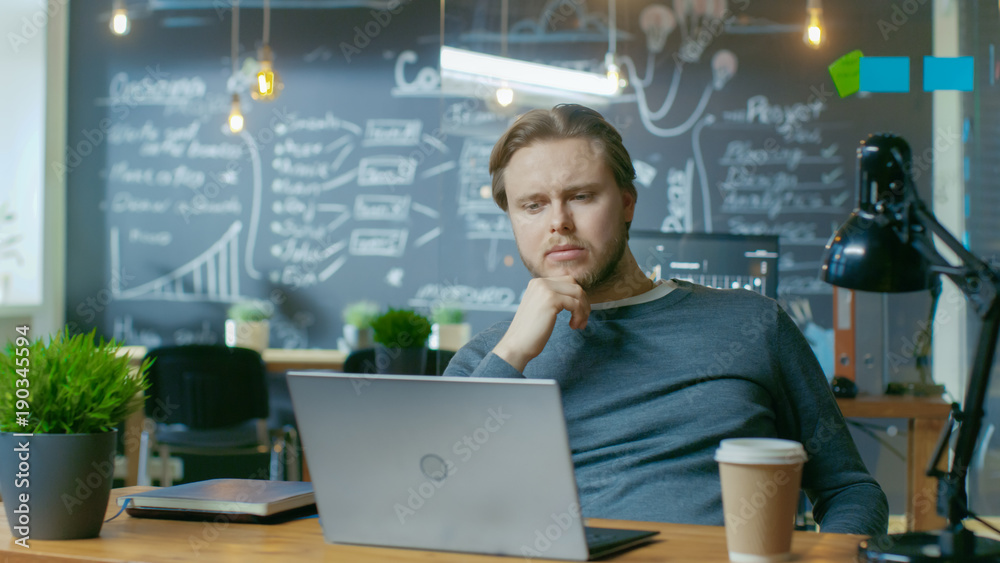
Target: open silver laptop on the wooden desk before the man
(445, 464)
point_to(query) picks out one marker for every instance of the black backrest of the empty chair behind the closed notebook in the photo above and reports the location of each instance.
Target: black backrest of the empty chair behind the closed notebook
(203, 386)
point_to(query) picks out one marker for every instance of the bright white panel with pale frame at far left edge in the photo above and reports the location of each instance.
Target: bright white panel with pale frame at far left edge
(32, 271)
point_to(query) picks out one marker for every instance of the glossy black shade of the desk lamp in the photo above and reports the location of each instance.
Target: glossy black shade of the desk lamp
(866, 254)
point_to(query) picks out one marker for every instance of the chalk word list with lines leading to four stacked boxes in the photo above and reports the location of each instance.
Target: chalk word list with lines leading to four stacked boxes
(317, 234)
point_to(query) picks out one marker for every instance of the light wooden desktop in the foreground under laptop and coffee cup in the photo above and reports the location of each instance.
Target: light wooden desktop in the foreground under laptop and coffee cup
(140, 539)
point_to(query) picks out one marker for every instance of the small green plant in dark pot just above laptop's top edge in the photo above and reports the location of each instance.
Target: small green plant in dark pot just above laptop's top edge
(401, 341)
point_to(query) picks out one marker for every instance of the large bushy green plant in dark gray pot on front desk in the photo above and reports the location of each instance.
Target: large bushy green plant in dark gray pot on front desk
(60, 403)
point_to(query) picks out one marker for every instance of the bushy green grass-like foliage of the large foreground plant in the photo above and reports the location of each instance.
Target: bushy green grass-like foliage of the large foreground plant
(75, 386)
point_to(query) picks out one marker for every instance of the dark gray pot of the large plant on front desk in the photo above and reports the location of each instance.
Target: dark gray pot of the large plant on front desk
(56, 486)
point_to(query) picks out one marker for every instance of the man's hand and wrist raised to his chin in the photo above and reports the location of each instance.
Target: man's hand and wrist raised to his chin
(536, 317)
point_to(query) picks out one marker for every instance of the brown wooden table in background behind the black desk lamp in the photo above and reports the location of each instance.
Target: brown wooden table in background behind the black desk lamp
(926, 416)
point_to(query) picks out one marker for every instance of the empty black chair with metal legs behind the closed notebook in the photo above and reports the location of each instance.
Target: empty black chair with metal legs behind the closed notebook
(211, 400)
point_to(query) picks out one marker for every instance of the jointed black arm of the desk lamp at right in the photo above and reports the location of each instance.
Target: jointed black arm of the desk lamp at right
(980, 284)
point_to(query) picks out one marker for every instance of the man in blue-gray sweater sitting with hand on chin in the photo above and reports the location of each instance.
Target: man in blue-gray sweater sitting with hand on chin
(652, 376)
